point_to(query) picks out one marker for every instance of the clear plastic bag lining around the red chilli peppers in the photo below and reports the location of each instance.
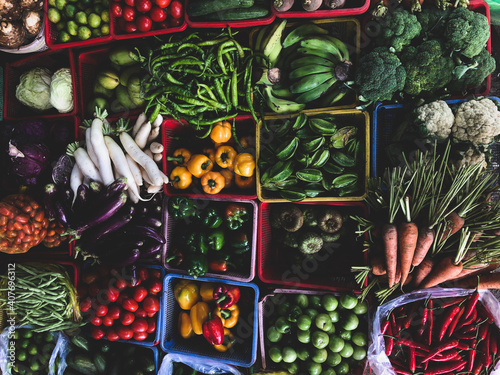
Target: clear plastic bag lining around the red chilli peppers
(378, 360)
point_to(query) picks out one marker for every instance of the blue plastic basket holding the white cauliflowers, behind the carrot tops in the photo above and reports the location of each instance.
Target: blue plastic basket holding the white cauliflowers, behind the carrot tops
(385, 117)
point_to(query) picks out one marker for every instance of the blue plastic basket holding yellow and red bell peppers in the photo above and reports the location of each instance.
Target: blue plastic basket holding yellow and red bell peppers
(243, 353)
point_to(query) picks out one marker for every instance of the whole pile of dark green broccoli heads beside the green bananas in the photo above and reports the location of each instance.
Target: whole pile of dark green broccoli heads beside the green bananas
(429, 54)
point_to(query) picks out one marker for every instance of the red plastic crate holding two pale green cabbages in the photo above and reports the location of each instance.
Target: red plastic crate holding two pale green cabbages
(52, 60)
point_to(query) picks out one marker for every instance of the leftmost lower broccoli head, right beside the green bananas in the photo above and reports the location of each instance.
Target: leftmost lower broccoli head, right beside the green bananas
(379, 75)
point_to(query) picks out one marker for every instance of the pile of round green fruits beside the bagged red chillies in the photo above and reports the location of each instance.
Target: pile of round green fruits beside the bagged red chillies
(315, 334)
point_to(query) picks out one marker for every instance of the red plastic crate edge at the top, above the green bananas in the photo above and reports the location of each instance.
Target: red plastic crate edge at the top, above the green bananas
(351, 8)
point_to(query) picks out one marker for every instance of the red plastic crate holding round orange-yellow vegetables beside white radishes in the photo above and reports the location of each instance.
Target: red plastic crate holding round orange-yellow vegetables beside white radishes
(245, 124)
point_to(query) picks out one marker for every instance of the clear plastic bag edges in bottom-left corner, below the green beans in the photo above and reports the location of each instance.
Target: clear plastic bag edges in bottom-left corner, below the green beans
(60, 351)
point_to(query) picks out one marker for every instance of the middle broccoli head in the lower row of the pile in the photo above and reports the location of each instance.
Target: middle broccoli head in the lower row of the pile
(428, 68)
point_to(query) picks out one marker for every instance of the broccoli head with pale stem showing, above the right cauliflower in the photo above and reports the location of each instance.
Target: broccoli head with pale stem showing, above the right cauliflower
(471, 75)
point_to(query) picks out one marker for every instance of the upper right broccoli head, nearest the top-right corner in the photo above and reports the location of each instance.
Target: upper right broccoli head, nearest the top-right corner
(466, 31)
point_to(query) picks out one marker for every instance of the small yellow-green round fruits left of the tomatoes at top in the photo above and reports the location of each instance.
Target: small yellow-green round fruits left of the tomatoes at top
(79, 19)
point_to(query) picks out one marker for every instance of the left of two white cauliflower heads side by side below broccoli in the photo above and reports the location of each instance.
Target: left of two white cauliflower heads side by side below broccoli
(435, 119)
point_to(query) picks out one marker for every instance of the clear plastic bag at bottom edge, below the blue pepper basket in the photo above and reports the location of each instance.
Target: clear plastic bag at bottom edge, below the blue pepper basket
(206, 366)
